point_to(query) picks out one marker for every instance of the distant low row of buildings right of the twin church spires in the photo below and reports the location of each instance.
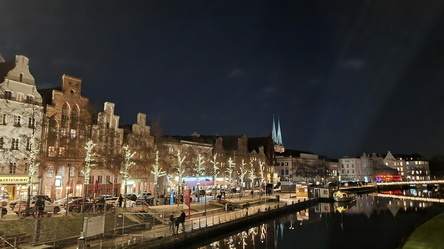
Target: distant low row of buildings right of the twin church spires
(298, 166)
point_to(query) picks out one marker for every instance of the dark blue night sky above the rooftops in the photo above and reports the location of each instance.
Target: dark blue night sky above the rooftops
(345, 77)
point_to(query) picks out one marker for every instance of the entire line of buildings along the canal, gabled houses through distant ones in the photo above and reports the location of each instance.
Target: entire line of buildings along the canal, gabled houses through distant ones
(61, 121)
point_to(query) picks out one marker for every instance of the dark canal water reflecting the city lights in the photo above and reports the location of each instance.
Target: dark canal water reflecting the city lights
(376, 220)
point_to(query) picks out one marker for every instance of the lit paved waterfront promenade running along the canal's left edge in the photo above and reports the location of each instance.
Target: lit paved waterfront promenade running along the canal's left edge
(216, 216)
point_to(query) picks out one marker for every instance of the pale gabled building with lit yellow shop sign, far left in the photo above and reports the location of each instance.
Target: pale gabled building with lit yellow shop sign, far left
(21, 116)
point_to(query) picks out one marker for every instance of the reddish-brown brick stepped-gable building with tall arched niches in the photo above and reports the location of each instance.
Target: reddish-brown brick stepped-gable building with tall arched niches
(67, 127)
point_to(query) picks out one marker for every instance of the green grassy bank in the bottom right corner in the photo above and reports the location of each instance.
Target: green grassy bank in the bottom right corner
(428, 235)
